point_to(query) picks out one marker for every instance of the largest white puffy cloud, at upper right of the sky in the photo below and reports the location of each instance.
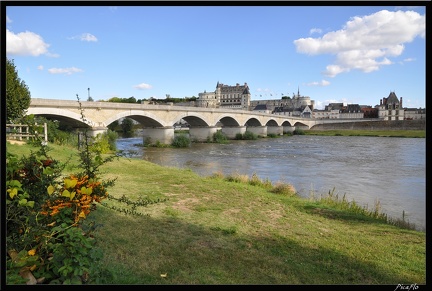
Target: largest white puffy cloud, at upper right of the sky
(366, 43)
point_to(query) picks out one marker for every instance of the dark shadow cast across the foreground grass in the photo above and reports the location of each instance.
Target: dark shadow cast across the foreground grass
(170, 251)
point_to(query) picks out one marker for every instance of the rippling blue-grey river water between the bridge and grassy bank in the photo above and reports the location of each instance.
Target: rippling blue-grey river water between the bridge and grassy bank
(389, 170)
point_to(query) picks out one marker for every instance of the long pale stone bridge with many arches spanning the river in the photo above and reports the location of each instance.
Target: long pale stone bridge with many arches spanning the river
(158, 120)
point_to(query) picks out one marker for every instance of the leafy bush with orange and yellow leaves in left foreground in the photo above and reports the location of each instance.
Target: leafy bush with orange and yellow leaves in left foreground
(45, 212)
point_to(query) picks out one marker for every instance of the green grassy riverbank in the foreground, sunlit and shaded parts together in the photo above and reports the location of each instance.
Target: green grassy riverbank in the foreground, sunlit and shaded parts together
(212, 231)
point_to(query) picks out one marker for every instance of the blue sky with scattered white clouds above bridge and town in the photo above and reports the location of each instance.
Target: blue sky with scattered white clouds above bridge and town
(349, 54)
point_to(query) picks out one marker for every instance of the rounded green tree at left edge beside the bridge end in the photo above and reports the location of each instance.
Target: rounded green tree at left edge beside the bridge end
(17, 94)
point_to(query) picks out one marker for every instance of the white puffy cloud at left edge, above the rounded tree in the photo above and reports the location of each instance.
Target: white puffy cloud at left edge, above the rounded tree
(25, 44)
